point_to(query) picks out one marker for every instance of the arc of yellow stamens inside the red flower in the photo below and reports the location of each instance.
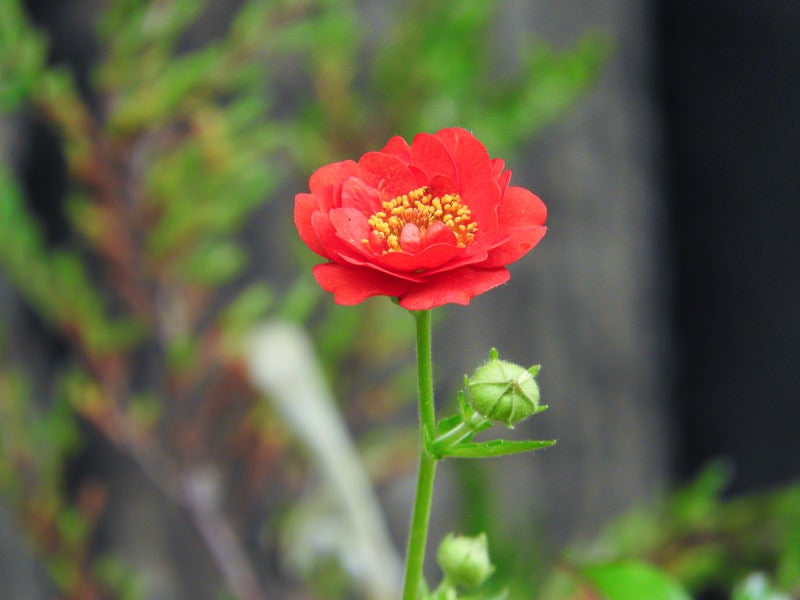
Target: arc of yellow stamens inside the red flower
(422, 209)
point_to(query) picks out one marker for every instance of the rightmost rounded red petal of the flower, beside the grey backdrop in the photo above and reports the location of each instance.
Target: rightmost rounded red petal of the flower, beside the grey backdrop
(522, 215)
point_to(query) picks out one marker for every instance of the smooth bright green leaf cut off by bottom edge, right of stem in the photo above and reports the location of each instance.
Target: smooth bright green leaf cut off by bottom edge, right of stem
(633, 580)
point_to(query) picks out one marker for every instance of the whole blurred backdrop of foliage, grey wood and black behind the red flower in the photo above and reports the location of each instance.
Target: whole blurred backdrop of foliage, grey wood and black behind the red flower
(149, 156)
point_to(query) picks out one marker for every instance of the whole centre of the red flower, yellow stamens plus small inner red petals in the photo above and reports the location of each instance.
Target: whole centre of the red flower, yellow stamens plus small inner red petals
(413, 220)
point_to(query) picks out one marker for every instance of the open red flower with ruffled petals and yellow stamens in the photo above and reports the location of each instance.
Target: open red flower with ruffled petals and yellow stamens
(431, 223)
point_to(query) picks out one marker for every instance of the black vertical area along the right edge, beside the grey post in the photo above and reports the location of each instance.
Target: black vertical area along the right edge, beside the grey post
(728, 82)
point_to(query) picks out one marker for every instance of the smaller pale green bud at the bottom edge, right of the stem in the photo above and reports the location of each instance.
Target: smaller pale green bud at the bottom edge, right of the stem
(465, 560)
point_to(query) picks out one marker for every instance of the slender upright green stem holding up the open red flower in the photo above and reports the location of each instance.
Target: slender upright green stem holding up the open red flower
(417, 539)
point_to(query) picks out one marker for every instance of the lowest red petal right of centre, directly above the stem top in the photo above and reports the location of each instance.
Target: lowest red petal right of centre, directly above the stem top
(453, 287)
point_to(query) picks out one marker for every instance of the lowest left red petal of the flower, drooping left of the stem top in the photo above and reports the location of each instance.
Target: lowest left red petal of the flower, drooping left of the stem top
(351, 285)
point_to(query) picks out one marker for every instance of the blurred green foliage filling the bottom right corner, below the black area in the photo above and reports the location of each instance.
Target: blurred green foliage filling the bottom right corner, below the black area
(695, 537)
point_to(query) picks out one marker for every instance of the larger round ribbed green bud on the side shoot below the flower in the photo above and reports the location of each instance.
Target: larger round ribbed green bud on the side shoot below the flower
(503, 391)
